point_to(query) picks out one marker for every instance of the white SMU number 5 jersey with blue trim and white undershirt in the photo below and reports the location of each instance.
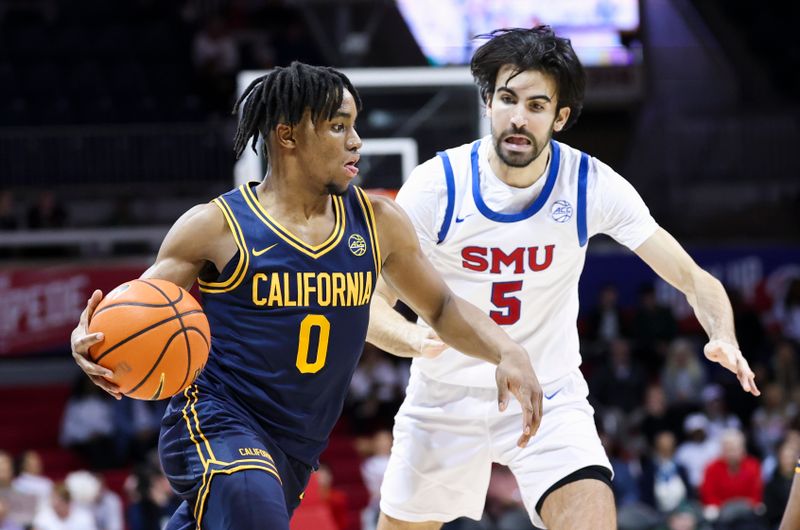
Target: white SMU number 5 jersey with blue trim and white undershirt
(518, 253)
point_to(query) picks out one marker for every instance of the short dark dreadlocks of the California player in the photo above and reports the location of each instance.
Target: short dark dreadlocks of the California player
(283, 95)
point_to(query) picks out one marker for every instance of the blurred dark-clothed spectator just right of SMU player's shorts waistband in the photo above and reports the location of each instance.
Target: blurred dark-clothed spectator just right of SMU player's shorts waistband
(619, 384)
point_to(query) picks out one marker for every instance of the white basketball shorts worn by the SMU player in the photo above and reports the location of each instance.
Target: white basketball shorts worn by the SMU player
(447, 436)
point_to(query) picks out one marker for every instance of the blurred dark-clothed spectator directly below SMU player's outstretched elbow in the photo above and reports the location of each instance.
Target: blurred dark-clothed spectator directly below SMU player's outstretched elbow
(653, 327)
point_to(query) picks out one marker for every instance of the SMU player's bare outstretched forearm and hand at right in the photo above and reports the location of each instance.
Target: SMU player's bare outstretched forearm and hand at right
(708, 299)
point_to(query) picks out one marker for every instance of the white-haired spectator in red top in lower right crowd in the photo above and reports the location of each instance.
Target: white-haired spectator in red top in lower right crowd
(734, 475)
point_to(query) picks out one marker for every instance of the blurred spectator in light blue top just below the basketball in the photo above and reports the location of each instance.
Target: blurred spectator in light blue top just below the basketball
(88, 425)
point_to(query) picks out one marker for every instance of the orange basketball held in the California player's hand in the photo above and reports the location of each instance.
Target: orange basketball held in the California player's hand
(156, 338)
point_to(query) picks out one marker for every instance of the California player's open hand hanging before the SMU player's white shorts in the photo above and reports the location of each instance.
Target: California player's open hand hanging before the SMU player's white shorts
(515, 375)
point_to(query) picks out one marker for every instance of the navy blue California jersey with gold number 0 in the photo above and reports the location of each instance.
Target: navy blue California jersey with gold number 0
(288, 320)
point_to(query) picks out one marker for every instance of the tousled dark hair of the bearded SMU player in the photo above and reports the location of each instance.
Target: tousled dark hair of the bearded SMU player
(531, 49)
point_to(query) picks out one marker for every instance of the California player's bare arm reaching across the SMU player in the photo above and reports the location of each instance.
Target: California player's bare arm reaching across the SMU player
(460, 324)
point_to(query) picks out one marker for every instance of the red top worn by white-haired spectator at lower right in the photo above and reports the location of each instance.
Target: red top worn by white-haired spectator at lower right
(721, 484)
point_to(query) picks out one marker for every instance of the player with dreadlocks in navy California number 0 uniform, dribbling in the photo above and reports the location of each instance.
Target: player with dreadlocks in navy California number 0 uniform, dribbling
(287, 267)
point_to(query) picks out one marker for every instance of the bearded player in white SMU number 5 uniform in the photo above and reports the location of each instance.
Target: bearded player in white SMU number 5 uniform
(506, 220)
